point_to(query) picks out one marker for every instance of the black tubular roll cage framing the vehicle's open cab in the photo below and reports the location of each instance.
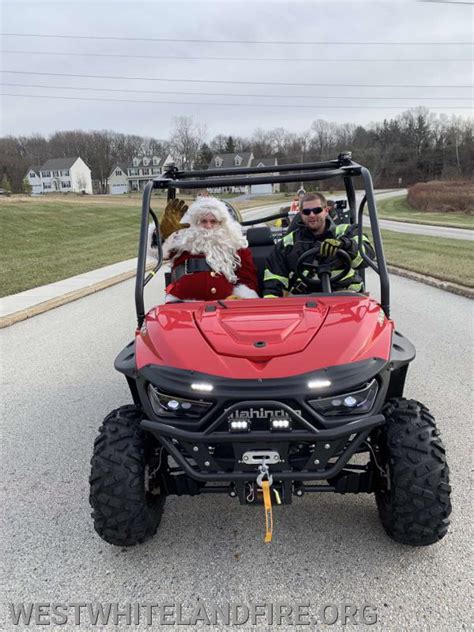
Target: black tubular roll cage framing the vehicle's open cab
(343, 167)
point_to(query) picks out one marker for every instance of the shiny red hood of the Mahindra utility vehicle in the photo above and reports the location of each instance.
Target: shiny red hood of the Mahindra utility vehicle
(266, 338)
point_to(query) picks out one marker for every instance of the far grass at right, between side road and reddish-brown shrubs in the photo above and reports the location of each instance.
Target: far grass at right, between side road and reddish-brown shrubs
(398, 209)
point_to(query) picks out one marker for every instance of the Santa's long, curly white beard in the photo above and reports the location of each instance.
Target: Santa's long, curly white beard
(219, 246)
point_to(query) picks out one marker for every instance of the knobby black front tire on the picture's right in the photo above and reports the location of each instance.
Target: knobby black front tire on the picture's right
(413, 495)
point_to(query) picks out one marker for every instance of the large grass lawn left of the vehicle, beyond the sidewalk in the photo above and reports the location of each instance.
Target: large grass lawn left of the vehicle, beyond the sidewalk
(43, 242)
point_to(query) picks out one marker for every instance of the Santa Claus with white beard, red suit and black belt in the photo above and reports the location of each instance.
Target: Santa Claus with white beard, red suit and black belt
(210, 259)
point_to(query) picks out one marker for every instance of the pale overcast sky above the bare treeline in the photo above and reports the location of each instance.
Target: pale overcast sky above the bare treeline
(445, 84)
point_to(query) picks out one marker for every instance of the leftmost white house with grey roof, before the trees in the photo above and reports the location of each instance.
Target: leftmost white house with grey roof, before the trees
(60, 174)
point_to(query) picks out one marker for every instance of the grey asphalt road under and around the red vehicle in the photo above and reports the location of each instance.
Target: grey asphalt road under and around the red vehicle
(59, 383)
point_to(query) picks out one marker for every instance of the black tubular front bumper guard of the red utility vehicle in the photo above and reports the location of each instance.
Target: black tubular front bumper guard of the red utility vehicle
(306, 453)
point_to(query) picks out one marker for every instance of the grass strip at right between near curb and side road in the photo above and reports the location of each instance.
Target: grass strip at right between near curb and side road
(445, 259)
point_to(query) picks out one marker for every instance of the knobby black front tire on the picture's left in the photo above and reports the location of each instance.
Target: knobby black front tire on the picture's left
(127, 505)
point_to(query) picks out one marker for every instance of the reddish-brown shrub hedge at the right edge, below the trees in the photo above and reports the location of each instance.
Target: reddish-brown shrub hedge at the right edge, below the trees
(442, 197)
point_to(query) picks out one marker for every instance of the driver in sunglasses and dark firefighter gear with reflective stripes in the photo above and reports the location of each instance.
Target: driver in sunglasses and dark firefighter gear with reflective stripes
(314, 229)
